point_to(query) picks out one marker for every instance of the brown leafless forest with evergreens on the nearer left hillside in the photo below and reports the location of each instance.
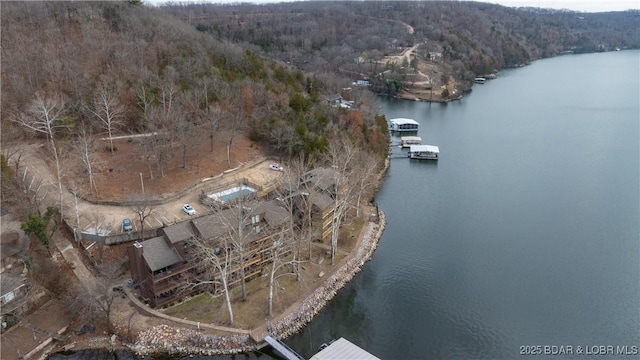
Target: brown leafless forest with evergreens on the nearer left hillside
(124, 68)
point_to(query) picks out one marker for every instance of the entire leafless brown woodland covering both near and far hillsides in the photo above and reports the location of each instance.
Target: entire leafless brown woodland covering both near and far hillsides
(262, 70)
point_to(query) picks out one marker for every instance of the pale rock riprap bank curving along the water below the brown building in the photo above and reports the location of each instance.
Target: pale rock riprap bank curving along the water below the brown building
(166, 339)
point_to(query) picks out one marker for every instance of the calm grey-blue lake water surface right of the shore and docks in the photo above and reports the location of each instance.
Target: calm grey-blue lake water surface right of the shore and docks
(525, 232)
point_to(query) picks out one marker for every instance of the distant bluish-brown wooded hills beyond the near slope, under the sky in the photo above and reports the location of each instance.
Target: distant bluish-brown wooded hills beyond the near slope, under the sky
(467, 39)
